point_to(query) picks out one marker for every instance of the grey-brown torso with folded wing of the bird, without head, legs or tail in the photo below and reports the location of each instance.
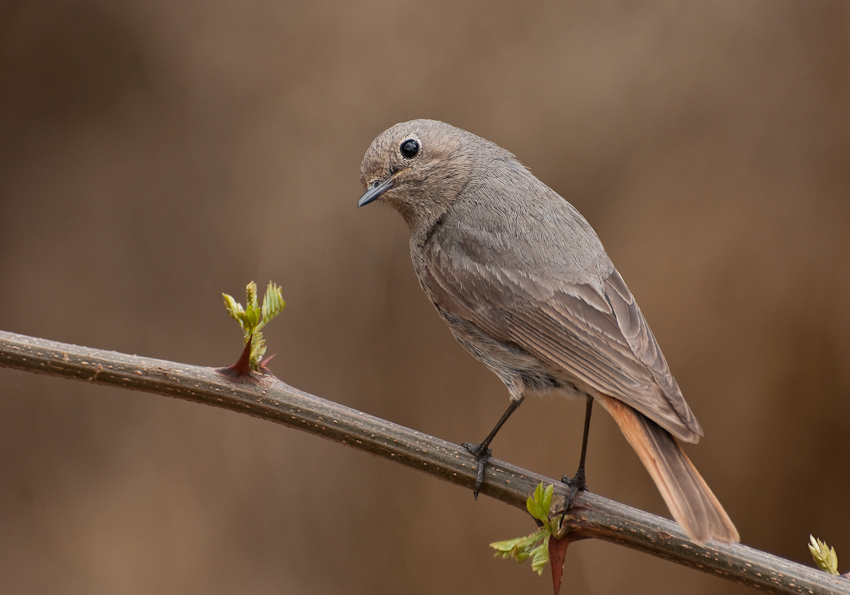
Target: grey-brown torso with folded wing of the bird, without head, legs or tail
(562, 311)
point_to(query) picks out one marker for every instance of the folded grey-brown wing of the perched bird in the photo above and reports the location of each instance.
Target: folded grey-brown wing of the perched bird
(596, 334)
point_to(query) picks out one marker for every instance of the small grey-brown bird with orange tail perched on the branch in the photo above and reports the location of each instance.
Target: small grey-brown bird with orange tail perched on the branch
(526, 287)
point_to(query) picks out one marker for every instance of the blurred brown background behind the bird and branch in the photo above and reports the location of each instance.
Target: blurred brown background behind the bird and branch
(154, 154)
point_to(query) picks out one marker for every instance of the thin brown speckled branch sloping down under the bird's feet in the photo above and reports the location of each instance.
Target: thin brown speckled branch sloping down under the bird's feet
(268, 398)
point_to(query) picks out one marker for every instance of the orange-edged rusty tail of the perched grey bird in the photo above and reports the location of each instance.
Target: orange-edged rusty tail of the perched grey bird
(689, 499)
